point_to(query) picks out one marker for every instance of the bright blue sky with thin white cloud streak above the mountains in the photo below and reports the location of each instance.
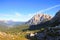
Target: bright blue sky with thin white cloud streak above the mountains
(23, 10)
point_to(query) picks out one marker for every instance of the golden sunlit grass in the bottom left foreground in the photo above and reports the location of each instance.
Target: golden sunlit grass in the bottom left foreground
(17, 36)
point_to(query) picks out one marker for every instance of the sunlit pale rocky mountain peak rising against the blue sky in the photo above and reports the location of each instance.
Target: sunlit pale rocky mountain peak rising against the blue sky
(39, 18)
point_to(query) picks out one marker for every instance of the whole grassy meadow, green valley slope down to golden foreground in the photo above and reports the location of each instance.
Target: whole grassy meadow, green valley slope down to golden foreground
(15, 33)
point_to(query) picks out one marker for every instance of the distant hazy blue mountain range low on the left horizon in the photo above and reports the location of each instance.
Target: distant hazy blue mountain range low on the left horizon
(10, 23)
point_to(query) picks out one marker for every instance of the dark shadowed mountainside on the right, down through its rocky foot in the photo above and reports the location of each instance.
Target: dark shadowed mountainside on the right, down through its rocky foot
(51, 29)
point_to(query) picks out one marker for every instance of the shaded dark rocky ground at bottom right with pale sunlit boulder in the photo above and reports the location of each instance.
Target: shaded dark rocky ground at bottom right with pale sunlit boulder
(51, 33)
